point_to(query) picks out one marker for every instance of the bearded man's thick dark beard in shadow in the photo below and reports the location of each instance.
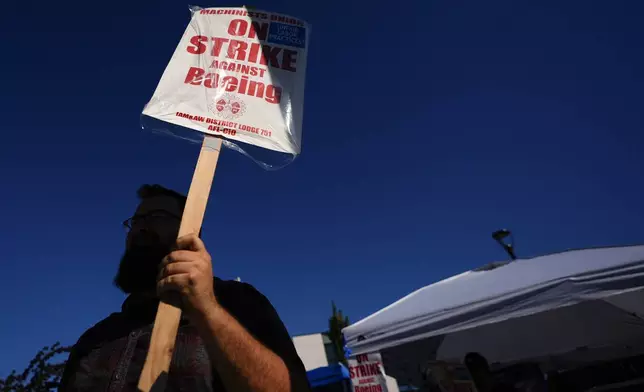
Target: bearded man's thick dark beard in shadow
(139, 268)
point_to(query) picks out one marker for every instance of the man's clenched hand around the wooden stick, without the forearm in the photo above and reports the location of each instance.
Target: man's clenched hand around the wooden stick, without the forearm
(188, 271)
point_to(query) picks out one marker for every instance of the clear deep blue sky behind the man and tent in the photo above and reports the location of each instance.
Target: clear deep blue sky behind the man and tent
(428, 124)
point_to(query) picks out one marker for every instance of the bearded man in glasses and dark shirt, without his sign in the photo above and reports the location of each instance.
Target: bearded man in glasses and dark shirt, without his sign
(230, 338)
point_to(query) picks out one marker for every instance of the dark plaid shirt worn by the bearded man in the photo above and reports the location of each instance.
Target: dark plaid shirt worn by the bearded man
(109, 357)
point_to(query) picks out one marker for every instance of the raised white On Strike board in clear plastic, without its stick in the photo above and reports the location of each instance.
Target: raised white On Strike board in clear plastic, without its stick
(237, 73)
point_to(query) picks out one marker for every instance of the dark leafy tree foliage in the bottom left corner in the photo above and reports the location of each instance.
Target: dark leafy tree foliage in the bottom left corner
(40, 376)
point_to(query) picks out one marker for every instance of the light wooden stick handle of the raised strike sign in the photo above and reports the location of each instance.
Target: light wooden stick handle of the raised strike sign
(164, 334)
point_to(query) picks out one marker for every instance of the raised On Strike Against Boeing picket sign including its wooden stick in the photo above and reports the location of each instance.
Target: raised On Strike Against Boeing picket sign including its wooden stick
(236, 74)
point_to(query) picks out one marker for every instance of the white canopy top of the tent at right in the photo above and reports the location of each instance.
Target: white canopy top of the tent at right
(524, 309)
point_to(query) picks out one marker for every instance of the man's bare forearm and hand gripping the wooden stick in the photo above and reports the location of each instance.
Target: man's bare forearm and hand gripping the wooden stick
(243, 363)
